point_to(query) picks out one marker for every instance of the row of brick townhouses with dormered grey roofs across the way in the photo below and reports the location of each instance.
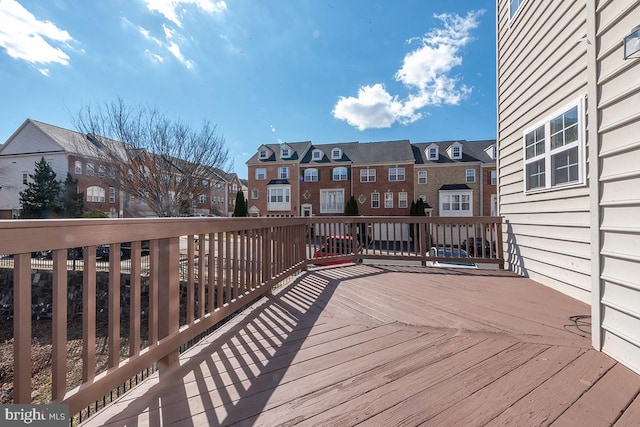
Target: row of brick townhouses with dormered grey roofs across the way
(383, 177)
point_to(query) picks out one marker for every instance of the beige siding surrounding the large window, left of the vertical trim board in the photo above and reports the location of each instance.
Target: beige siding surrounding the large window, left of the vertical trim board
(541, 67)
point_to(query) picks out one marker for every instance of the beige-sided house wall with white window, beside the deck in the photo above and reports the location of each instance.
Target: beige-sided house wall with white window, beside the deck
(569, 157)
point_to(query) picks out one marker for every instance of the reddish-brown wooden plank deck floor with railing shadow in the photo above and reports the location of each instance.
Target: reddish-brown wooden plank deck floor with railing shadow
(383, 346)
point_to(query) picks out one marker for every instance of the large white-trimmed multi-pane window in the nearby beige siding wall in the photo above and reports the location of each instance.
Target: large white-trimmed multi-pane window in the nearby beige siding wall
(554, 150)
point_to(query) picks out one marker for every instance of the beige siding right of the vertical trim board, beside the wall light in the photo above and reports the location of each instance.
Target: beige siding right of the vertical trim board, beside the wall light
(619, 196)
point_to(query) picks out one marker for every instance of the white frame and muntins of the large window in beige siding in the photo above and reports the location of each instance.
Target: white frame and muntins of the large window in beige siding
(580, 144)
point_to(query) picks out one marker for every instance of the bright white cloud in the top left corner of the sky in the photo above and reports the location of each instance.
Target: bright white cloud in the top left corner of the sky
(26, 38)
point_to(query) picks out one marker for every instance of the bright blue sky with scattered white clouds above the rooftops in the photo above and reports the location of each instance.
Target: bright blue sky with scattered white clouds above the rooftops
(262, 71)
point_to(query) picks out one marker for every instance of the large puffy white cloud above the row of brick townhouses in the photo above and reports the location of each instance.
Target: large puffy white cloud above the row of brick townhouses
(425, 72)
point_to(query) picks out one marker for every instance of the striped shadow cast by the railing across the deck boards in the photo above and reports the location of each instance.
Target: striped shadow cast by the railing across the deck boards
(231, 378)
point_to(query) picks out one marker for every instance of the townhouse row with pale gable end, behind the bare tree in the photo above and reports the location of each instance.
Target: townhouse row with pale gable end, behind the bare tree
(83, 157)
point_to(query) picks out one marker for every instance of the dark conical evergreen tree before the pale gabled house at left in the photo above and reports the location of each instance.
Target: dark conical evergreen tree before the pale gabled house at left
(39, 199)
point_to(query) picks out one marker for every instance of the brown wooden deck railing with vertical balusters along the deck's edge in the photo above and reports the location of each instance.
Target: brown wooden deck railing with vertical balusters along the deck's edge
(236, 260)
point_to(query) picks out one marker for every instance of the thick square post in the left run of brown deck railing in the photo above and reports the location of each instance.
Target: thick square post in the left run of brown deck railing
(168, 294)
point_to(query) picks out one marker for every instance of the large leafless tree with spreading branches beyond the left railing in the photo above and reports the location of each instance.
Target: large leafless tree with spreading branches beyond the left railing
(163, 162)
